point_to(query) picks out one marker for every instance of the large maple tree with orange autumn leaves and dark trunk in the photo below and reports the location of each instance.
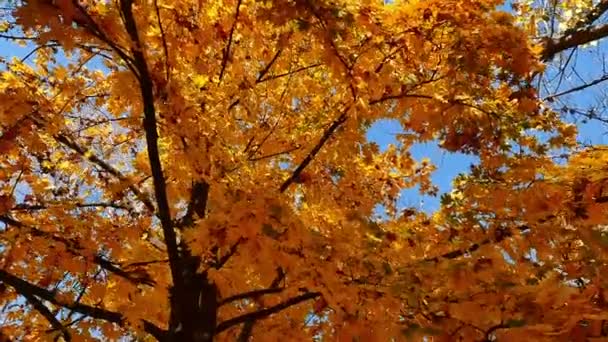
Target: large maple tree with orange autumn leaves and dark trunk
(191, 170)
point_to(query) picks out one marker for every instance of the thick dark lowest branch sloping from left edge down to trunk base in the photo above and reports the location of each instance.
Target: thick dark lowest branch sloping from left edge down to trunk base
(27, 289)
